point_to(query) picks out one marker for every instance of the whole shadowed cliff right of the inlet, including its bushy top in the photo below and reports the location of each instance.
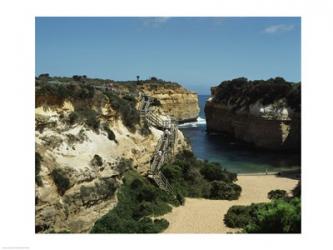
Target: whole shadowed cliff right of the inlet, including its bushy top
(261, 114)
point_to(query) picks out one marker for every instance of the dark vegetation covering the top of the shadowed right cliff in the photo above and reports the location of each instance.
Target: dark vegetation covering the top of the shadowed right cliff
(242, 92)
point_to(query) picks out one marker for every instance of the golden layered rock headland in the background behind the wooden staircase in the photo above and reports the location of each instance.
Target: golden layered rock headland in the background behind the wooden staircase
(175, 100)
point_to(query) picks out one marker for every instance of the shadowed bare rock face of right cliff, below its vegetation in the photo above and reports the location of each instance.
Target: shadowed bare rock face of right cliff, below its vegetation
(258, 124)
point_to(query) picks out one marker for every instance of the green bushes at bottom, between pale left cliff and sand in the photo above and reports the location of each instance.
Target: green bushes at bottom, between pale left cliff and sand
(137, 200)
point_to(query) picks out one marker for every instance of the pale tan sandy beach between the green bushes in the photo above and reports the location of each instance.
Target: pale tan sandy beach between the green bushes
(206, 216)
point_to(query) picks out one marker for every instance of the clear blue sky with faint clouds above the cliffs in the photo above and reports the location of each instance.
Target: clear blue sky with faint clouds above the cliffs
(198, 52)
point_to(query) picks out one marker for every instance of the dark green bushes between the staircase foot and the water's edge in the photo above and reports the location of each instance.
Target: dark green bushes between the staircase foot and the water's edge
(186, 176)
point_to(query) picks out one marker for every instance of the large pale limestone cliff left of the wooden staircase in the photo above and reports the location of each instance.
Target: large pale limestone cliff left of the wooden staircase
(80, 165)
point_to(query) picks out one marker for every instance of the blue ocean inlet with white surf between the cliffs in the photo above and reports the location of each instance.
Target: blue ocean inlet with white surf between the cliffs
(233, 155)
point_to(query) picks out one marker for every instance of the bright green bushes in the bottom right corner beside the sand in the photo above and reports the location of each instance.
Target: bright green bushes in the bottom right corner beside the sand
(282, 215)
